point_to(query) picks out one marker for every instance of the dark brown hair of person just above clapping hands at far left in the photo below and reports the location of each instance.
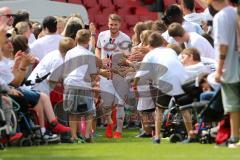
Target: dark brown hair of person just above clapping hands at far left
(20, 42)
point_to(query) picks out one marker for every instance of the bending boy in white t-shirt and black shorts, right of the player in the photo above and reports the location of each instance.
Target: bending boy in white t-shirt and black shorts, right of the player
(162, 67)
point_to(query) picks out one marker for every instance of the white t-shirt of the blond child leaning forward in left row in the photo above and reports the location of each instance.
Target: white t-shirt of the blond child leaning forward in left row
(47, 65)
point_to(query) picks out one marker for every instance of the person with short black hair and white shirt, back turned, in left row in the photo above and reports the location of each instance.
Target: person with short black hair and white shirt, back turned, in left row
(49, 42)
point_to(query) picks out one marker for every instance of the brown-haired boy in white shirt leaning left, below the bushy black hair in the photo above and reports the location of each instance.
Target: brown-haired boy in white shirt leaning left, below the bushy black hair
(191, 40)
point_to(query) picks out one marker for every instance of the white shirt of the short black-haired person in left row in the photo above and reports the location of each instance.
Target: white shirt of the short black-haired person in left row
(44, 45)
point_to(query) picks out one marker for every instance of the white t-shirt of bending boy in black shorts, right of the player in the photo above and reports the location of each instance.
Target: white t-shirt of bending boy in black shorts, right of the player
(175, 73)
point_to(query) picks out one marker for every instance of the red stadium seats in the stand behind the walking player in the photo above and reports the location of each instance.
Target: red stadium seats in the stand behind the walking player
(130, 11)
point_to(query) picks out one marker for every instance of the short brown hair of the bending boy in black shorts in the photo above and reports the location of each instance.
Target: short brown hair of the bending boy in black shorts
(155, 39)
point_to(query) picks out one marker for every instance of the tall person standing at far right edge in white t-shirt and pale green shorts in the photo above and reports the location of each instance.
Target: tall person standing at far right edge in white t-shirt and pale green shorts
(224, 31)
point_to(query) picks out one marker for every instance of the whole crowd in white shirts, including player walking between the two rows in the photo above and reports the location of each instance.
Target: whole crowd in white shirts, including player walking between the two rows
(97, 74)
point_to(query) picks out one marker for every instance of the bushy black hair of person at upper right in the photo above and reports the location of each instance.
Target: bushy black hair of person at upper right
(173, 14)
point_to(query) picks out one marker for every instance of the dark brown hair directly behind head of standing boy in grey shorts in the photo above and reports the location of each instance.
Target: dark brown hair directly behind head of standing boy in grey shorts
(72, 28)
